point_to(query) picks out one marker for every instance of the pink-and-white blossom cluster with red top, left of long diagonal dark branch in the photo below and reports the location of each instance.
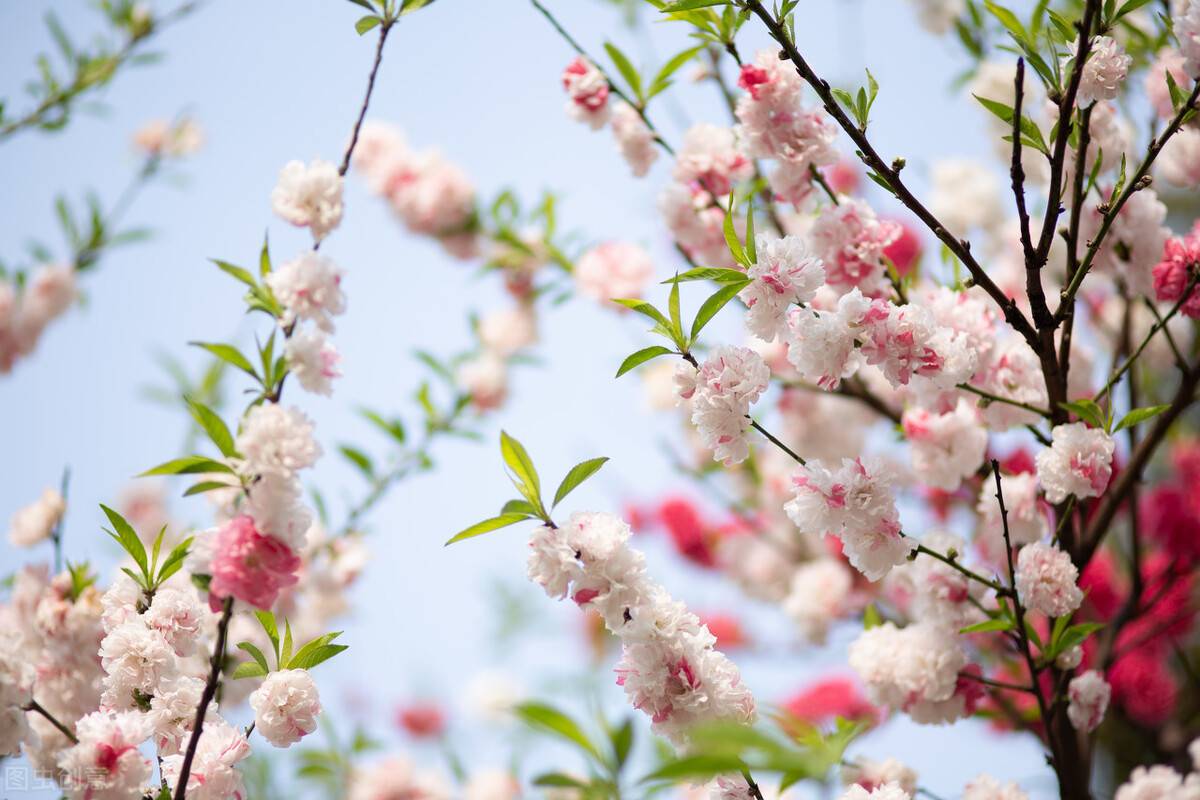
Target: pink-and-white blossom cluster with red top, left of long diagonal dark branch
(775, 124)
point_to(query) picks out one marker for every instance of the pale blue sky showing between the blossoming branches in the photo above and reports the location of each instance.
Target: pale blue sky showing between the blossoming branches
(271, 82)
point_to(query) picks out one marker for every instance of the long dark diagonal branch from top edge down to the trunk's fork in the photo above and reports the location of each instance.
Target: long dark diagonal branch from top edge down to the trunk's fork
(891, 176)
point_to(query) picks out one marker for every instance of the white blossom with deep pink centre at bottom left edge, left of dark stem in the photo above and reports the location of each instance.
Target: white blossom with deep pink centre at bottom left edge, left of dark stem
(106, 763)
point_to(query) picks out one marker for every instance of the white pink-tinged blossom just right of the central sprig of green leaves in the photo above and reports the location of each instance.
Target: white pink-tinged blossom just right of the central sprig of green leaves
(784, 274)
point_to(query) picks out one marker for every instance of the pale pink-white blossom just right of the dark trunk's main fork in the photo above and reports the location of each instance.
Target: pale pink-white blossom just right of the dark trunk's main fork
(1078, 462)
